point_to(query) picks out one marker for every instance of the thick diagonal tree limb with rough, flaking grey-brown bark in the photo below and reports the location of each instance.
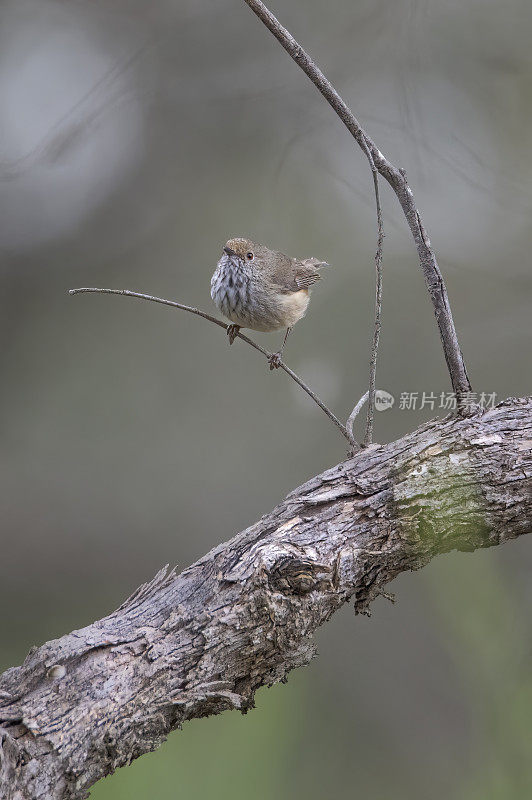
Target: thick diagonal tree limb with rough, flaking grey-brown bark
(243, 616)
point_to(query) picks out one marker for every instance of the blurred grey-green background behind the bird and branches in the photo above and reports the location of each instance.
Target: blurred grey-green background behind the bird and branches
(136, 138)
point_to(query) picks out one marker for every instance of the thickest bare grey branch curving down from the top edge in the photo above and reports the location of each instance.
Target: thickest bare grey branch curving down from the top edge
(397, 180)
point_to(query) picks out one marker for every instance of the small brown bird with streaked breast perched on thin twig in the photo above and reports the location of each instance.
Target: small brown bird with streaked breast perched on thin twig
(262, 289)
